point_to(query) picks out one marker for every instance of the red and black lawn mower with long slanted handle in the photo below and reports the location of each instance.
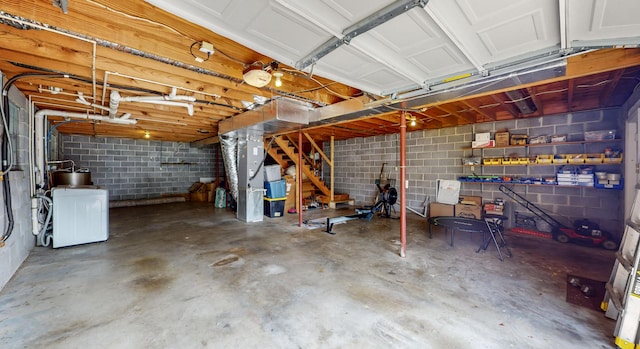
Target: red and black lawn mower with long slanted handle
(583, 231)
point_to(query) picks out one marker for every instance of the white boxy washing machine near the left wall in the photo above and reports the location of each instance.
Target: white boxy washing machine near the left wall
(80, 215)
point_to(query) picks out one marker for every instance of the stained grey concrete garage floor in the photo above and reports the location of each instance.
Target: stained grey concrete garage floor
(188, 275)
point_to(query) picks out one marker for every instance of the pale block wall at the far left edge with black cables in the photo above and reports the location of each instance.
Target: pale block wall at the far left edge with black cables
(22, 241)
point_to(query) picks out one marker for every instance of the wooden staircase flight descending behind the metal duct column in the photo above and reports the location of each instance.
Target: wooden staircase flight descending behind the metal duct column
(289, 155)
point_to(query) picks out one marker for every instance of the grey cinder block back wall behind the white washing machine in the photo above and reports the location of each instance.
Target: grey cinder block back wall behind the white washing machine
(141, 169)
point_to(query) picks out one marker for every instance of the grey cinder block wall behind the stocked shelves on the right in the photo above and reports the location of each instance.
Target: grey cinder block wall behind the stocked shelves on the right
(436, 154)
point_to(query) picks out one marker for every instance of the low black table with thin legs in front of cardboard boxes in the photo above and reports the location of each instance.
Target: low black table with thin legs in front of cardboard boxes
(490, 227)
